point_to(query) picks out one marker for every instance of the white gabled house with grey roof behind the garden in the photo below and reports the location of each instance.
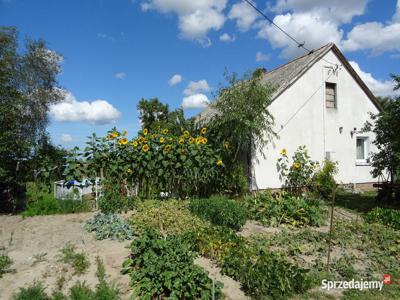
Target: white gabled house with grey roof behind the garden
(320, 102)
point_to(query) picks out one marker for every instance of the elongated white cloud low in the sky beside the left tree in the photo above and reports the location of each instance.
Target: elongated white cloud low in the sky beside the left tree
(95, 112)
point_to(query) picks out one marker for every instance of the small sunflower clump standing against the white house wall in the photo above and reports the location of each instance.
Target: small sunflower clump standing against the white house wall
(297, 174)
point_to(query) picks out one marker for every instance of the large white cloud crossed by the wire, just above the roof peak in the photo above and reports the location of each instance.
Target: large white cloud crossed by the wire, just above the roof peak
(303, 26)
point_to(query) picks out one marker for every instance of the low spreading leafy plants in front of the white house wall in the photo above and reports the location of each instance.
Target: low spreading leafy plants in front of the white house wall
(283, 208)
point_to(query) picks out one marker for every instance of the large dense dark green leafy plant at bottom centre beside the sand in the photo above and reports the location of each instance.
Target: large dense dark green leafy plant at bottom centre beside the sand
(163, 268)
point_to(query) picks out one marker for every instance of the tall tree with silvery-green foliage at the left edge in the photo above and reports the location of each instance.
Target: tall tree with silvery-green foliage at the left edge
(28, 87)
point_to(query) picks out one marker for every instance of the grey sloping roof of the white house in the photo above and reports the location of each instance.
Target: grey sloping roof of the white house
(286, 75)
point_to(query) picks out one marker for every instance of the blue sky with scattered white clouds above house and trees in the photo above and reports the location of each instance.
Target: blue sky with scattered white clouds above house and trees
(121, 51)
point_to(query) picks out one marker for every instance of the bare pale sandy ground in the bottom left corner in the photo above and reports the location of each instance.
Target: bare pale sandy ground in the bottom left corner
(24, 238)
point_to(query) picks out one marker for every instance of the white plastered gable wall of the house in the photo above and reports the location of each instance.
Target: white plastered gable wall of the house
(301, 118)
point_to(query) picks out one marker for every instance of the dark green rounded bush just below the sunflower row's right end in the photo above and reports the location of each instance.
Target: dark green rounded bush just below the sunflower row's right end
(220, 211)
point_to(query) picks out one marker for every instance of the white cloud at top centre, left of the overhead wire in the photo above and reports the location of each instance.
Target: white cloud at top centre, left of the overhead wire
(195, 18)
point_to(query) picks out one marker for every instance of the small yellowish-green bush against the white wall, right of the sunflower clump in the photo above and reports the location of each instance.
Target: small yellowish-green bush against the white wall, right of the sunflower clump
(323, 181)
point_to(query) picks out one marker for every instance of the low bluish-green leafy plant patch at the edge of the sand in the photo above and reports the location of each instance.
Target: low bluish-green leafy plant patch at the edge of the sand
(109, 226)
